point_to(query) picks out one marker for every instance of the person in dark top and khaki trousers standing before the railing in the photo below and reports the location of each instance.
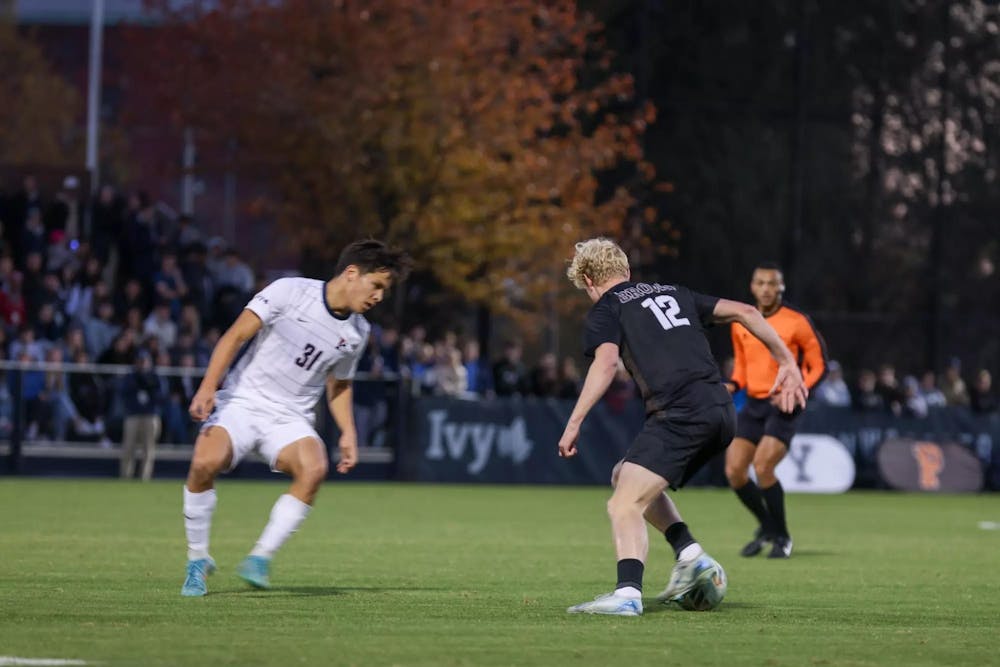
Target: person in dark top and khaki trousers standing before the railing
(140, 395)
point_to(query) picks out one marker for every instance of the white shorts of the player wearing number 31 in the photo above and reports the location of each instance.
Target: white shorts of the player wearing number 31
(263, 431)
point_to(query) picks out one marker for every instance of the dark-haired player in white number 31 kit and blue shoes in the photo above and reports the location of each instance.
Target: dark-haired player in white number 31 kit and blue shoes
(295, 338)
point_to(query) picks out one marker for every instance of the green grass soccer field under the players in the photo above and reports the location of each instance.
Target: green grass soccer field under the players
(389, 574)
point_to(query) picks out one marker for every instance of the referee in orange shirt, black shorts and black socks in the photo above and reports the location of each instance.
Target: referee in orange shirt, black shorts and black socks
(763, 432)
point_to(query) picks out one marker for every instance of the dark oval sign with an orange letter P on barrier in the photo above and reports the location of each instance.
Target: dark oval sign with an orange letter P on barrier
(920, 465)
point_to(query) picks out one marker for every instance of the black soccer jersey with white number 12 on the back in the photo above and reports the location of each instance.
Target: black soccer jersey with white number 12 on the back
(659, 330)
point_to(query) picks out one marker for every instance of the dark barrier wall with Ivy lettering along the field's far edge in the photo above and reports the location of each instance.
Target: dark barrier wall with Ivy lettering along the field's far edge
(506, 441)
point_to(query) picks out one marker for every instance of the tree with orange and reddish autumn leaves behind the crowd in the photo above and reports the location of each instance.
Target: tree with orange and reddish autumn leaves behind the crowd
(471, 131)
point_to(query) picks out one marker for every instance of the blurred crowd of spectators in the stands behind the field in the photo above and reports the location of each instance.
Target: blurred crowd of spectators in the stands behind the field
(116, 281)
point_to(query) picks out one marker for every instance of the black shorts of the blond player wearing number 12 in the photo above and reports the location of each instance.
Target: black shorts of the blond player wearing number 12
(676, 447)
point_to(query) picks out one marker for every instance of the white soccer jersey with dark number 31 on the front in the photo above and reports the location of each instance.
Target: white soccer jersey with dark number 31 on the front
(285, 366)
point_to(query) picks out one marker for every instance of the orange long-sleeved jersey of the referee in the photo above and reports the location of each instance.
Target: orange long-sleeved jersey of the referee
(755, 369)
